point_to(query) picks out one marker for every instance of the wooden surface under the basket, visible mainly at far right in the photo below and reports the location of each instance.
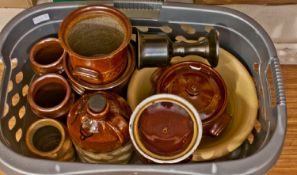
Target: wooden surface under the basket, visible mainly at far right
(287, 163)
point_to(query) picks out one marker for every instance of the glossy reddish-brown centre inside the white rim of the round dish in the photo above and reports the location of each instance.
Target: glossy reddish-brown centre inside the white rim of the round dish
(165, 128)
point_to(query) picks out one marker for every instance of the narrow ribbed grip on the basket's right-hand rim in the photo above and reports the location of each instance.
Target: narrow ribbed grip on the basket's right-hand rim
(278, 82)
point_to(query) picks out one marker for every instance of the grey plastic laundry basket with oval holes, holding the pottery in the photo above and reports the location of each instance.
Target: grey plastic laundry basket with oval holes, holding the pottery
(239, 34)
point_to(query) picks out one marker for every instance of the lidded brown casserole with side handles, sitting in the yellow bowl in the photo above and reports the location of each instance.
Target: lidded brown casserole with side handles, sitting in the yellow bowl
(203, 87)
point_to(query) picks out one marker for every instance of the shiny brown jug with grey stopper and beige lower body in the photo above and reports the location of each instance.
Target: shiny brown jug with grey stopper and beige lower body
(98, 126)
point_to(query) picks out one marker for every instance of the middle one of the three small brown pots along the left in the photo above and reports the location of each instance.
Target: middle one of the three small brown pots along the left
(50, 96)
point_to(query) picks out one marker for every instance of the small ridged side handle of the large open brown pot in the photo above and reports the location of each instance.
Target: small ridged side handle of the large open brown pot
(86, 73)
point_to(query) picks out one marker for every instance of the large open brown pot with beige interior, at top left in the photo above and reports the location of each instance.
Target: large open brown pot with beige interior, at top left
(96, 38)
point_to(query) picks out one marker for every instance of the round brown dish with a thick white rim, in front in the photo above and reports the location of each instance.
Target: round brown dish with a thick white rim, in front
(165, 128)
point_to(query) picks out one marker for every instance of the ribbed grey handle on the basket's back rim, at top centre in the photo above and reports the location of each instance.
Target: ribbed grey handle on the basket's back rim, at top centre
(149, 9)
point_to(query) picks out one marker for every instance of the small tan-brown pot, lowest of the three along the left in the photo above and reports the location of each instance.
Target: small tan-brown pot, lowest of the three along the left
(48, 138)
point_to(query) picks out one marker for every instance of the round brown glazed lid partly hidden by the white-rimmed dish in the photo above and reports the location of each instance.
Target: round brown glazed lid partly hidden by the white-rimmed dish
(198, 83)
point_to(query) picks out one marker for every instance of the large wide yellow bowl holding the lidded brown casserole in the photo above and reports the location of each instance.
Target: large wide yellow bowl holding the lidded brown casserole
(242, 103)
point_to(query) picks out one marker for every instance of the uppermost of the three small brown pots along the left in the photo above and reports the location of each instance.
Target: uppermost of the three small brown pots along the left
(46, 56)
